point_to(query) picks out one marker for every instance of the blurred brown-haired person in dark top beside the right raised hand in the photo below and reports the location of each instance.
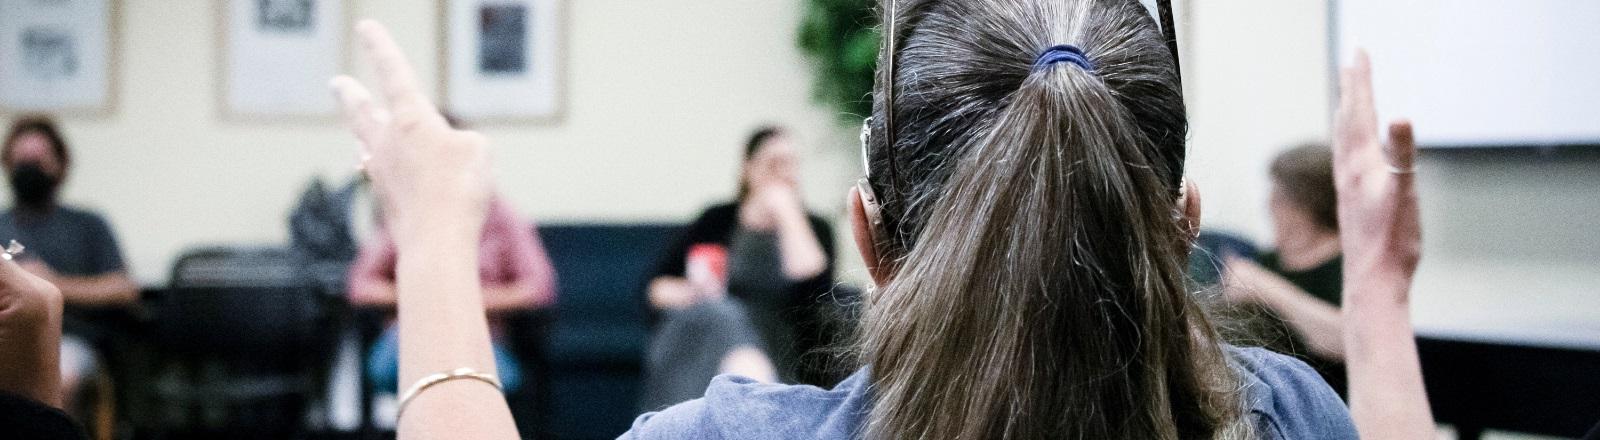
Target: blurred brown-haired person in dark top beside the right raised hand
(1300, 282)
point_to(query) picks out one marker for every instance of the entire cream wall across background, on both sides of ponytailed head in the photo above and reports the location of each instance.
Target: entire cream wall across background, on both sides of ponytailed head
(662, 94)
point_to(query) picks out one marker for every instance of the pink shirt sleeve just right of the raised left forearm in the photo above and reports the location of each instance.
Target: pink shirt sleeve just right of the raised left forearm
(524, 257)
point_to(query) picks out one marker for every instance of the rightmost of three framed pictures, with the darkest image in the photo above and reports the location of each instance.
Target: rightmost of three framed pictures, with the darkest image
(503, 60)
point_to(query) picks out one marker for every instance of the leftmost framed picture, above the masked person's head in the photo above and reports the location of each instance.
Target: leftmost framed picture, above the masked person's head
(57, 55)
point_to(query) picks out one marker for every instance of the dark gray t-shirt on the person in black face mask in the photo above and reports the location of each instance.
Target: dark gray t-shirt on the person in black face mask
(73, 242)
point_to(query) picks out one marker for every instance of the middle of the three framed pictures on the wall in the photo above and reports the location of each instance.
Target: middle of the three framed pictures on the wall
(279, 57)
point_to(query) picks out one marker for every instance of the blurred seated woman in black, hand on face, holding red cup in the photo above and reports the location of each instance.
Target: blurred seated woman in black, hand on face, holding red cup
(778, 263)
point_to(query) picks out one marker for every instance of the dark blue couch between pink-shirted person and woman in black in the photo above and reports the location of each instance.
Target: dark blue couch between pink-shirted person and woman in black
(596, 343)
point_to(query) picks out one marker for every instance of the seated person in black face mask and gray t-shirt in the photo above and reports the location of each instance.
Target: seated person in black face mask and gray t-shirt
(68, 247)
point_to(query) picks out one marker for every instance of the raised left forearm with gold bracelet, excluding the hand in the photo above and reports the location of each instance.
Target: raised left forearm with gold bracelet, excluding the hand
(444, 329)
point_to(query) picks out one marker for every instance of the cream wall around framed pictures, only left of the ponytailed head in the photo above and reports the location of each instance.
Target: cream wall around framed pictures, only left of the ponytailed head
(660, 100)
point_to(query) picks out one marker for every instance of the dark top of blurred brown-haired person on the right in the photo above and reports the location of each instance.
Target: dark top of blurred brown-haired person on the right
(1326, 282)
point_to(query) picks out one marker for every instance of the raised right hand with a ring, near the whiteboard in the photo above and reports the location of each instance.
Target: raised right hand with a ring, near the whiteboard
(1378, 209)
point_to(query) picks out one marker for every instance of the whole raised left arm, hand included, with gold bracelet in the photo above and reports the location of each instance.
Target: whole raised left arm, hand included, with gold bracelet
(434, 185)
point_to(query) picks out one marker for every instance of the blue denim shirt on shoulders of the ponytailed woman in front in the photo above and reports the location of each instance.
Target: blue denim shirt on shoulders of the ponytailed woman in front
(1286, 399)
